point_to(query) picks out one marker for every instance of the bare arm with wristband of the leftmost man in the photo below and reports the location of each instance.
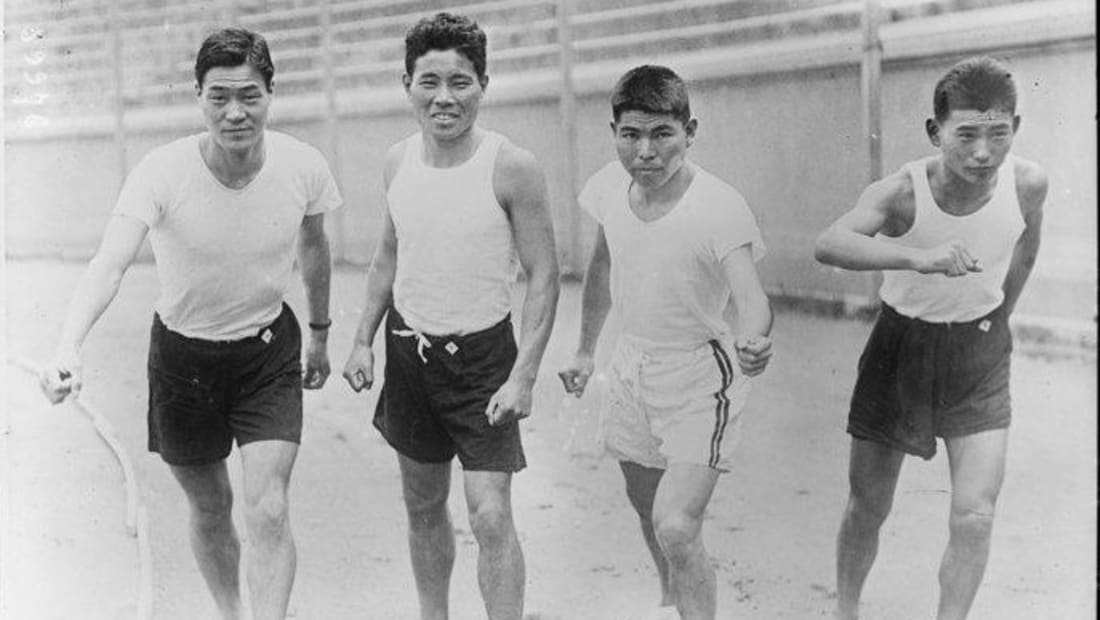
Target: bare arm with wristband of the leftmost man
(315, 261)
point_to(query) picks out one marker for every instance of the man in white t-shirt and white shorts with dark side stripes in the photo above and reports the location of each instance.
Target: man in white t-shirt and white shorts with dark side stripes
(675, 247)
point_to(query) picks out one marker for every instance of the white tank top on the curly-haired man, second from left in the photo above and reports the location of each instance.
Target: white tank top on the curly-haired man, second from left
(456, 254)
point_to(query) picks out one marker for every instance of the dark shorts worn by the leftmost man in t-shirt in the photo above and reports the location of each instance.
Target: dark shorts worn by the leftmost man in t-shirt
(204, 394)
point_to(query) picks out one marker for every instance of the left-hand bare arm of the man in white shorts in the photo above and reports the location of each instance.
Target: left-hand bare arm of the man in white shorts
(596, 305)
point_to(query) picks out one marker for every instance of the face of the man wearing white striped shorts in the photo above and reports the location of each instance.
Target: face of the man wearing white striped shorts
(652, 147)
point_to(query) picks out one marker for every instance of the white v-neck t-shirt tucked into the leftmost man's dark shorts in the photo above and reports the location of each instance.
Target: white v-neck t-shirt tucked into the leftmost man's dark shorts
(225, 257)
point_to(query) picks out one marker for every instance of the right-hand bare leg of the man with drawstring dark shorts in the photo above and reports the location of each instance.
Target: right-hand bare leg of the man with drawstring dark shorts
(501, 570)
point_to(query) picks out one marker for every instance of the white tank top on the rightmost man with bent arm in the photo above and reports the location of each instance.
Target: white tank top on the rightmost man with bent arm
(989, 235)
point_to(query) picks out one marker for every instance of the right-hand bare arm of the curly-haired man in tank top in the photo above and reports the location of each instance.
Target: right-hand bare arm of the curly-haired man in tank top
(521, 186)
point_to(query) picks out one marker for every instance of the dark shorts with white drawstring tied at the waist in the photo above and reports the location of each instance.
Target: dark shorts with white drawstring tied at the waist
(434, 408)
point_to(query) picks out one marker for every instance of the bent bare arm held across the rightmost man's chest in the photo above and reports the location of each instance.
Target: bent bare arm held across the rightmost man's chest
(887, 207)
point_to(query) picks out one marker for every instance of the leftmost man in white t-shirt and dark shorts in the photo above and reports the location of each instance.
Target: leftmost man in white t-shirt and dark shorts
(224, 211)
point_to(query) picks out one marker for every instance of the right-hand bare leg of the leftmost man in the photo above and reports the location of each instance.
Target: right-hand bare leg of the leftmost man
(272, 559)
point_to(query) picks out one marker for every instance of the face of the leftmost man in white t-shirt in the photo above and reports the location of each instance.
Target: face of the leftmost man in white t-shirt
(235, 103)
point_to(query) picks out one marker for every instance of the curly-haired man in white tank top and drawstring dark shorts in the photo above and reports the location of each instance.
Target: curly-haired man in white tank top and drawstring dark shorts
(461, 204)
